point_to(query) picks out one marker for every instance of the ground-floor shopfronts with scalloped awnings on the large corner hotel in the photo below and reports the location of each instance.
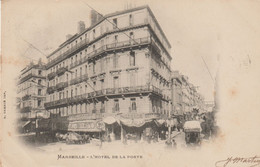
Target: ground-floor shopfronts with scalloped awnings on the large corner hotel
(110, 127)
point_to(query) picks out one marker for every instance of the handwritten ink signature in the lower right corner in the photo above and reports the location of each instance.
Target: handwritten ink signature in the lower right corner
(245, 162)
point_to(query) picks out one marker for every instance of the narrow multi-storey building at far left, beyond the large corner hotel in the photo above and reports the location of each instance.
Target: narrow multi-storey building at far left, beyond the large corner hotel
(31, 96)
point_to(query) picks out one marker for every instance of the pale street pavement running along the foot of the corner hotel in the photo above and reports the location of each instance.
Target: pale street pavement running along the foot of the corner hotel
(131, 146)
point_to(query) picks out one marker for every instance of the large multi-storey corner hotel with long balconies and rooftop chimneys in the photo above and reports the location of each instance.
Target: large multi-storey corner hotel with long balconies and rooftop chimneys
(118, 68)
